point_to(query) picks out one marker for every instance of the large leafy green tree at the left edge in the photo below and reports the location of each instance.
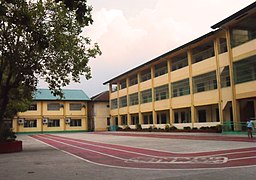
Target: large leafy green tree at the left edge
(41, 39)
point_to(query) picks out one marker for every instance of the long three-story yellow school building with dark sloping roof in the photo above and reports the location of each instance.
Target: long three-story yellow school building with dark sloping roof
(208, 81)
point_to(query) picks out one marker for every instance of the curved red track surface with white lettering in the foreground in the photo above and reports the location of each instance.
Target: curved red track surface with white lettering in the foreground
(131, 157)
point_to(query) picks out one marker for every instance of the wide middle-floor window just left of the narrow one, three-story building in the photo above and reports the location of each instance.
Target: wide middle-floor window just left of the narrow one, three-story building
(205, 82)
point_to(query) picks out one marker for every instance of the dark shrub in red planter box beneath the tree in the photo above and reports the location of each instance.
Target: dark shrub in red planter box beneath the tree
(8, 142)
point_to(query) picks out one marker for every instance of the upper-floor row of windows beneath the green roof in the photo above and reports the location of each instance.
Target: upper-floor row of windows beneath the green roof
(57, 106)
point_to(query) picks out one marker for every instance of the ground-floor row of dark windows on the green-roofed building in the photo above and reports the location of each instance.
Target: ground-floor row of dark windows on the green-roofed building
(32, 123)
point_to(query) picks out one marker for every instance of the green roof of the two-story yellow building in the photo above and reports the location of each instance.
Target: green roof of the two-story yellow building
(69, 95)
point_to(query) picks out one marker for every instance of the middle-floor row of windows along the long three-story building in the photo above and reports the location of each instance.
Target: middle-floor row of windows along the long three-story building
(244, 71)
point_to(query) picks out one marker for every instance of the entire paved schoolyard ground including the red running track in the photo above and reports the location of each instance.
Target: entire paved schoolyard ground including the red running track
(131, 156)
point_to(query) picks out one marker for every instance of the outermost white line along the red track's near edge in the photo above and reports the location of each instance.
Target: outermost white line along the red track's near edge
(150, 169)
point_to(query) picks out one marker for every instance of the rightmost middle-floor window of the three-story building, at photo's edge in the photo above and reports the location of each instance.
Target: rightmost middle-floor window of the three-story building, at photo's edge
(245, 70)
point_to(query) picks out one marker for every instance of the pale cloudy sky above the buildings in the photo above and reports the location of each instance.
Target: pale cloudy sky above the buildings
(131, 33)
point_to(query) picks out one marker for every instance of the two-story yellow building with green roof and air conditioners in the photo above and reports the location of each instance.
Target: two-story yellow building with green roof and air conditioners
(48, 113)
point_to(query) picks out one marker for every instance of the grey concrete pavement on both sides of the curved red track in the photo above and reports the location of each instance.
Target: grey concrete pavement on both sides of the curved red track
(40, 161)
